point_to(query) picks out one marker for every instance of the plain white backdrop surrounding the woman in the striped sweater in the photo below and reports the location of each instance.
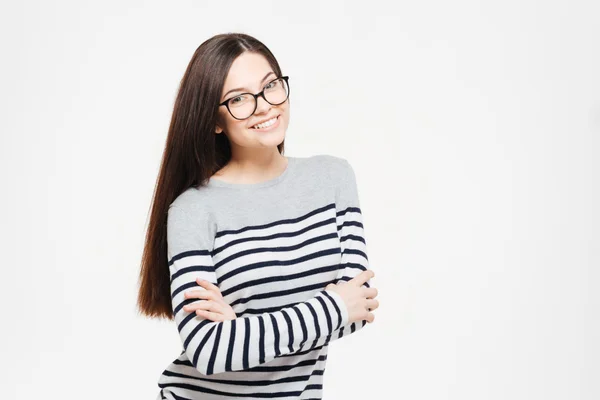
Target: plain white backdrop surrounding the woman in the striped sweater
(474, 131)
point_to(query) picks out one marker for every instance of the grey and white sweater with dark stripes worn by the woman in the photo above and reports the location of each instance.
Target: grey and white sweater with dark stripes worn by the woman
(271, 248)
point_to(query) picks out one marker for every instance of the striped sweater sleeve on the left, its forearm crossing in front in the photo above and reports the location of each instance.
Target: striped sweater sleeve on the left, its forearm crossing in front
(244, 342)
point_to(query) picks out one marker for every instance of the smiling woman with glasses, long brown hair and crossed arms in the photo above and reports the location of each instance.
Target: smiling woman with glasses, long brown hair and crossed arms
(260, 258)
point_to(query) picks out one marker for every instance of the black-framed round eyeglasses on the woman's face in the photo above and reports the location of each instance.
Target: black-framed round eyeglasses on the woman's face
(242, 106)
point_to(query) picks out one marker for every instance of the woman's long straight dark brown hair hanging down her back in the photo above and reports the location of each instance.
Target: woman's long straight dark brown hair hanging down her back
(192, 154)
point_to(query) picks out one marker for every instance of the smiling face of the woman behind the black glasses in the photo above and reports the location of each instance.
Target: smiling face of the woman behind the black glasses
(250, 73)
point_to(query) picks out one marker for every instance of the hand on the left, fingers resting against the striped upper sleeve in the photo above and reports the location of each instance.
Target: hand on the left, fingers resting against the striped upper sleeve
(213, 306)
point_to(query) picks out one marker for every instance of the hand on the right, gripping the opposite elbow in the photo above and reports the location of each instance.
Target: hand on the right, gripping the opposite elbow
(359, 300)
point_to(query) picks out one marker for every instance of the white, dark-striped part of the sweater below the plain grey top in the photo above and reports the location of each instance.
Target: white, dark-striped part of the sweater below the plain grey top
(273, 275)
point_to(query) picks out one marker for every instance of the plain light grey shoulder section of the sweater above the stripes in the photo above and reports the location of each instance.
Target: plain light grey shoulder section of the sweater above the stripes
(307, 183)
